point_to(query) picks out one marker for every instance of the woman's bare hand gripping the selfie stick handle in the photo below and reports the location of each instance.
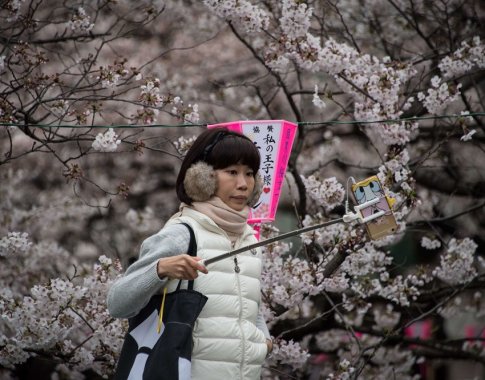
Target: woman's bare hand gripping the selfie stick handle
(182, 267)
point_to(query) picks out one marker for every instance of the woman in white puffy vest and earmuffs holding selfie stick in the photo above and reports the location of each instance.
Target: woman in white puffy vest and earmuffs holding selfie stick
(217, 184)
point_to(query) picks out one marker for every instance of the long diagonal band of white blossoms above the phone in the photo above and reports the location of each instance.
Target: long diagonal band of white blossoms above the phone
(383, 82)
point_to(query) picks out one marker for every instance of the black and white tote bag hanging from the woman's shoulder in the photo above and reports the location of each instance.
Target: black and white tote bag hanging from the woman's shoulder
(162, 351)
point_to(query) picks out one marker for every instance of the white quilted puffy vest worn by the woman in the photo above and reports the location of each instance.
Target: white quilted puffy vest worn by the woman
(227, 343)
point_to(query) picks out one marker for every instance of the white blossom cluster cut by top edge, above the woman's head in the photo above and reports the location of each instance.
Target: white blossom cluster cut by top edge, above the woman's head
(241, 12)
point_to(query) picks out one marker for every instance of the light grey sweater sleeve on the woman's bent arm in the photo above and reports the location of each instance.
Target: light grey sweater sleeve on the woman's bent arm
(130, 293)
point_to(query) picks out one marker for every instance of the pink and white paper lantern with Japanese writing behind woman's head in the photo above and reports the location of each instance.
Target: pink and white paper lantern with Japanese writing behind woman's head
(274, 139)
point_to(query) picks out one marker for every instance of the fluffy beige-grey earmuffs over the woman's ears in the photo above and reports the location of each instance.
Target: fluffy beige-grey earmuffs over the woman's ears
(200, 183)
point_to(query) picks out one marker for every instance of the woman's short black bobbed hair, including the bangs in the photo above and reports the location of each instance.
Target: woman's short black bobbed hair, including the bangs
(220, 148)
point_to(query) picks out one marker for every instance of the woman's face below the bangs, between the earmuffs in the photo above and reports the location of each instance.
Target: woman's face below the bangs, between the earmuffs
(234, 185)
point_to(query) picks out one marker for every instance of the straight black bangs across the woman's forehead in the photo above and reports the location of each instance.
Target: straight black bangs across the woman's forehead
(232, 150)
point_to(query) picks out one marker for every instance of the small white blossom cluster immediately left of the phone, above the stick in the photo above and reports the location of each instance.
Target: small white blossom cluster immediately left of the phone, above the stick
(328, 193)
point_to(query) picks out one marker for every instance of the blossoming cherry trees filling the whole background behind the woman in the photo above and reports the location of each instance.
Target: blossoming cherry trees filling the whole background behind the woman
(363, 82)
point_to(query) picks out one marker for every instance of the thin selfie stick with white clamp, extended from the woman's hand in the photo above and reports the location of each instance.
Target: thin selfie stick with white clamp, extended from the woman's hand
(347, 218)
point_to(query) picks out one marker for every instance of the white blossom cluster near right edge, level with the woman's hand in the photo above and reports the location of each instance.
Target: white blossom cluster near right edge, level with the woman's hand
(456, 264)
